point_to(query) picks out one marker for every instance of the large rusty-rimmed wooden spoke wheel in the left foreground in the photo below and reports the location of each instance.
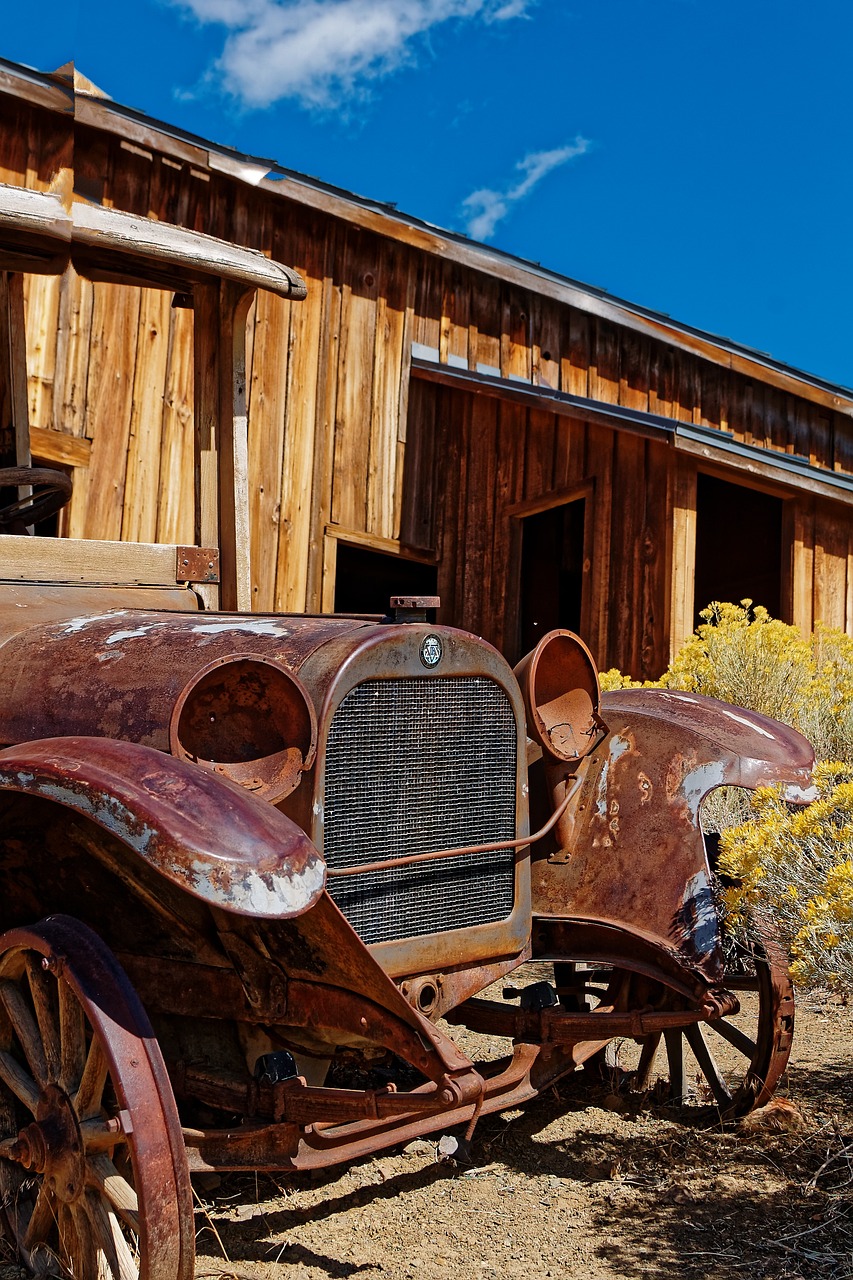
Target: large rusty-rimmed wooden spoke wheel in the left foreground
(93, 1168)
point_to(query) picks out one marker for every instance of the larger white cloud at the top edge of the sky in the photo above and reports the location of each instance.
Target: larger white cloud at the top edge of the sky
(323, 51)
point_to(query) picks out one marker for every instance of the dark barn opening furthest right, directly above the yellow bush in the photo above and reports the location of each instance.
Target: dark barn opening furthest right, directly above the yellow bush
(738, 546)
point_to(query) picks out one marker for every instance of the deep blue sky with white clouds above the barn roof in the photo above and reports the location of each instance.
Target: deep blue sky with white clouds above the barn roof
(690, 157)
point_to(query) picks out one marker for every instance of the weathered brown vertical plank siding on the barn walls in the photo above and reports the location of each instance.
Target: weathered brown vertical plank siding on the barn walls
(344, 438)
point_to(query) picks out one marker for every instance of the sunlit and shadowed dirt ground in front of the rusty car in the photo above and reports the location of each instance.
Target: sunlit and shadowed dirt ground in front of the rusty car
(580, 1183)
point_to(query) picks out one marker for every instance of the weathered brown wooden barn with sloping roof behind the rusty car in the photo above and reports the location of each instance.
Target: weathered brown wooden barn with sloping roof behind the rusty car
(436, 418)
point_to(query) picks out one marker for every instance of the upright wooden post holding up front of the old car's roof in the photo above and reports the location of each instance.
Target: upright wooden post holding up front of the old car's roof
(222, 437)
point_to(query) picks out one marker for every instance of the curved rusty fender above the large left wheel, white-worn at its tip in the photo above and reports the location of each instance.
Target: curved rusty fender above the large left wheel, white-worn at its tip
(204, 834)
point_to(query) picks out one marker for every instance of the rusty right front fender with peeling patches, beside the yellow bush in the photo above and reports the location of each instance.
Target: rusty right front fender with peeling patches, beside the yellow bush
(632, 851)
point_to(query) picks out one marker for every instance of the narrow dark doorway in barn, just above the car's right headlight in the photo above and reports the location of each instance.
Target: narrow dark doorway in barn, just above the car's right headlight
(553, 572)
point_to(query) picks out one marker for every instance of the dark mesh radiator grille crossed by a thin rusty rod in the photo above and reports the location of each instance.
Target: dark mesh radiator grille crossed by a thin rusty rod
(416, 766)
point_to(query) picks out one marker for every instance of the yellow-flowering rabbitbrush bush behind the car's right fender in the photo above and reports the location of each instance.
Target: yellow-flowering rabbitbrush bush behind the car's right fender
(795, 863)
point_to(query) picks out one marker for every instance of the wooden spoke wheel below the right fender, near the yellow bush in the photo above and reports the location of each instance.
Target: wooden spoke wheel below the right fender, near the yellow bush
(736, 1063)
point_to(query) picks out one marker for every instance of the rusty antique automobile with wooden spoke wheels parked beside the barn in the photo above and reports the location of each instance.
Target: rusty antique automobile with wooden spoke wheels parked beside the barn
(257, 868)
